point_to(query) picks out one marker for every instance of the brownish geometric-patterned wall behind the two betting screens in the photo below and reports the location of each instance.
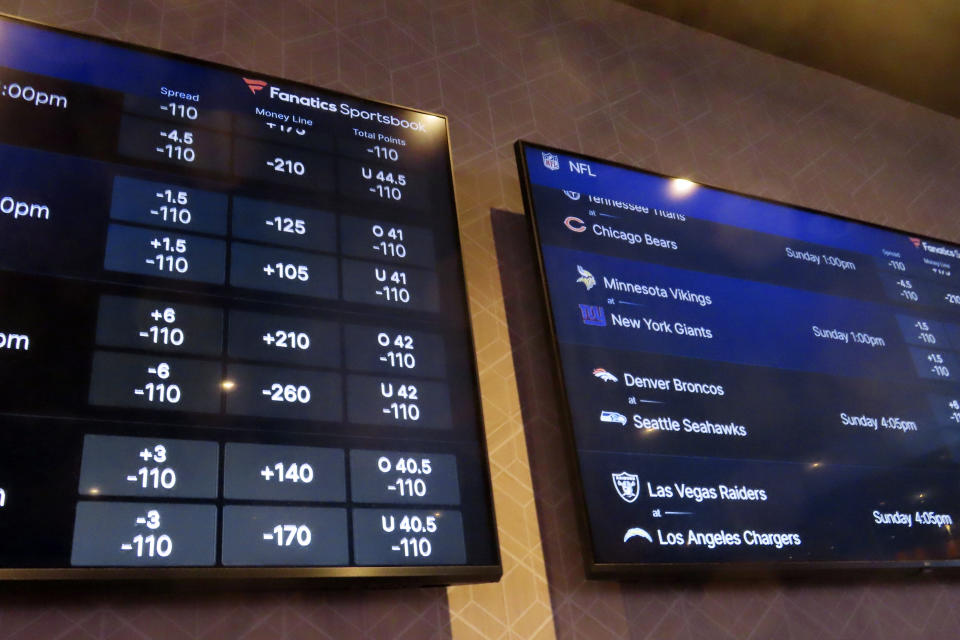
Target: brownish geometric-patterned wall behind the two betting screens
(595, 76)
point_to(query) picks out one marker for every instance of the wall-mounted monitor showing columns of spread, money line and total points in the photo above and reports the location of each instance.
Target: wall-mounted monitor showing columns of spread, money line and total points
(234, 336)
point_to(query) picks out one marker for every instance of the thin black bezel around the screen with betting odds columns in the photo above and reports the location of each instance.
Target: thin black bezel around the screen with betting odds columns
(421, 575)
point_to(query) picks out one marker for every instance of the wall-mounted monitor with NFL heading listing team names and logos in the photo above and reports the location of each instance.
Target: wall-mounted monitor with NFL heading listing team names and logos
(749, 384)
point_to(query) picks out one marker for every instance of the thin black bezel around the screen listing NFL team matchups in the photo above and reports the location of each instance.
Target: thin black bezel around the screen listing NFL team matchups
(731, 569)
